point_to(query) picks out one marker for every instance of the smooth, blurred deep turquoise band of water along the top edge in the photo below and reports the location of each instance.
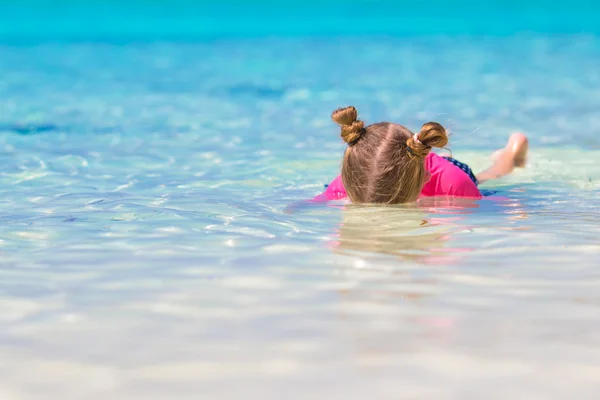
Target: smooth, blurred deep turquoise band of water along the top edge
(189, 20)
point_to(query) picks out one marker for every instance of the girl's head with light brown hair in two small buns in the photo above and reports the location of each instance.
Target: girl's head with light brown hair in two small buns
(385, 162)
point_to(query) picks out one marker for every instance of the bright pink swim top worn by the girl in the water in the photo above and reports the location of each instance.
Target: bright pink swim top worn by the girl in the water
(446, 180)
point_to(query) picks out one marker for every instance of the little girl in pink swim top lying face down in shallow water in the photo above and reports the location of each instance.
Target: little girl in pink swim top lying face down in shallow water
(386, 163)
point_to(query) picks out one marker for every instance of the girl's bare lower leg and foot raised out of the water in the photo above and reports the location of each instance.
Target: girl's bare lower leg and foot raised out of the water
(514, 155)
